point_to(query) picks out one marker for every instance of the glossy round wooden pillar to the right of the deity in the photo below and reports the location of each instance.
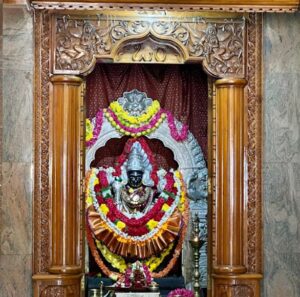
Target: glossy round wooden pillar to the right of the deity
(229, 179)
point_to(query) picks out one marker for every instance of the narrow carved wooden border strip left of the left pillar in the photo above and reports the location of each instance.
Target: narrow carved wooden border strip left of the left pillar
(41, 176)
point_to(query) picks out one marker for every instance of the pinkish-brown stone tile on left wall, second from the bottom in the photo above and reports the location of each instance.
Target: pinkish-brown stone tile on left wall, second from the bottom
(16, 209)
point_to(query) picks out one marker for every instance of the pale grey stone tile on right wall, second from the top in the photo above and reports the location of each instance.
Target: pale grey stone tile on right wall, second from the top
(282, 118)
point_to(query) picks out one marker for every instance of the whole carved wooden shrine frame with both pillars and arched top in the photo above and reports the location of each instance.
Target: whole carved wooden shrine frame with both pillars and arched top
(64, 56)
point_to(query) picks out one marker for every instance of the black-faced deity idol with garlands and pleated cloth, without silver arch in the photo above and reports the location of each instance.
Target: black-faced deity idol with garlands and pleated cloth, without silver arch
(136, 211)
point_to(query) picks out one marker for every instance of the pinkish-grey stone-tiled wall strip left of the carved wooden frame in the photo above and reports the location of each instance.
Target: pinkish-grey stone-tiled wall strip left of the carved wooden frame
(16, 153)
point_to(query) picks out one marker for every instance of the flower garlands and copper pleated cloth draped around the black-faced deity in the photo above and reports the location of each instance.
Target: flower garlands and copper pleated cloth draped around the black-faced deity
(119, 236)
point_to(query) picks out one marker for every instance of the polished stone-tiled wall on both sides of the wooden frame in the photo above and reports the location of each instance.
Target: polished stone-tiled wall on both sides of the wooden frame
(281, 154)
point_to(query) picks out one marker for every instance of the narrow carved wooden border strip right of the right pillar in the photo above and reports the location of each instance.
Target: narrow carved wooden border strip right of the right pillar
(253, 89)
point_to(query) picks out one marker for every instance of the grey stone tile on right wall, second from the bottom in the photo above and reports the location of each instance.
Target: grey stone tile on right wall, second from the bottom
(281, 208)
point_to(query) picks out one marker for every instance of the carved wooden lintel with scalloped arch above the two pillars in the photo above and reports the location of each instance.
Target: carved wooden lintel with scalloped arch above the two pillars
(79, 41)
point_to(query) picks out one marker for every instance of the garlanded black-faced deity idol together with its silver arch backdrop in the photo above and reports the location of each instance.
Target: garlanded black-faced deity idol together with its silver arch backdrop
(136, 211)
